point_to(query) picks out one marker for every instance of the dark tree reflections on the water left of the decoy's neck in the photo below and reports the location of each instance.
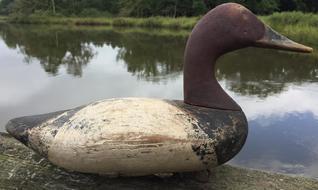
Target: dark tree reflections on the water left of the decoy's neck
(146, 55)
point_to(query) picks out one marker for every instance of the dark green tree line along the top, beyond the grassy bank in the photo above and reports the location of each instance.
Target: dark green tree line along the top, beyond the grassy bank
(144, 8)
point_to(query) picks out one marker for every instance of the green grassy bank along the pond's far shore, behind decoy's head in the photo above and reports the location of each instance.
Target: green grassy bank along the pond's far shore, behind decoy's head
(296, 25)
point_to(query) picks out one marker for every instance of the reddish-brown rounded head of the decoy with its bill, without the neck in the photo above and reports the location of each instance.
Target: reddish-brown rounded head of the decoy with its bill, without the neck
(237, 27)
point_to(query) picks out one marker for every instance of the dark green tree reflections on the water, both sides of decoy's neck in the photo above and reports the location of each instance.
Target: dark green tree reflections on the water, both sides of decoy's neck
(154, 56)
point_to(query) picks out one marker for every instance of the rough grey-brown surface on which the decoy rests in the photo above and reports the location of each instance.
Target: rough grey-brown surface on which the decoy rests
(23, 169)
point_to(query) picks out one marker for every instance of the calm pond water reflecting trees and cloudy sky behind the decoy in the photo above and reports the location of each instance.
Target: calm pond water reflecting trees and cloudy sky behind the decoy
(44, 69)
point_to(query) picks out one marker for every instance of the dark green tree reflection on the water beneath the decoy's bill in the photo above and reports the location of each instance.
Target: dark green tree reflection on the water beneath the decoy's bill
(266, 72)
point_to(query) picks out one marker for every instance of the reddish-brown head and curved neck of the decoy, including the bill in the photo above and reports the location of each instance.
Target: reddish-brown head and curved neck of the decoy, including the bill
(226, 28)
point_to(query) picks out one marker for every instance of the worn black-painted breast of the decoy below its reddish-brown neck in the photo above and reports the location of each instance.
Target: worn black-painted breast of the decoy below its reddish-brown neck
(227, 128)
